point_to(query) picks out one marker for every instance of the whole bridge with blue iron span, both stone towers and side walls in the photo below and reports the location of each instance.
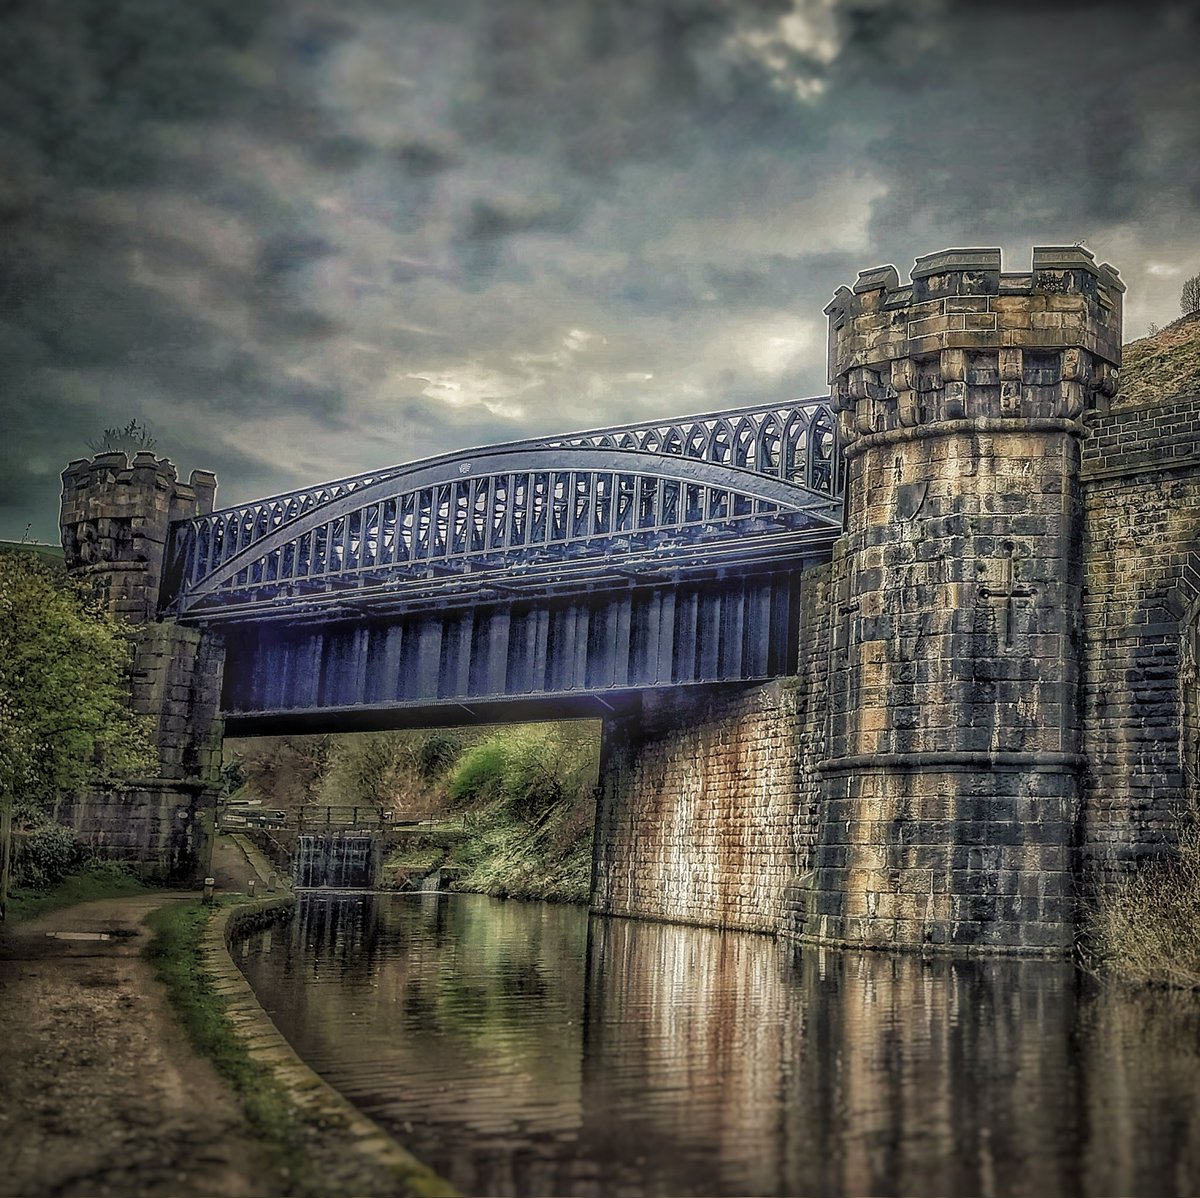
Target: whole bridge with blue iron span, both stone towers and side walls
(911, 666)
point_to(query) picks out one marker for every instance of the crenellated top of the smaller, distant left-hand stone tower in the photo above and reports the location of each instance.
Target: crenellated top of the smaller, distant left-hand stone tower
(116, 522)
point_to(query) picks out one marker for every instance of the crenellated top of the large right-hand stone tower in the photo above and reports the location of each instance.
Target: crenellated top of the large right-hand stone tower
(967, 342)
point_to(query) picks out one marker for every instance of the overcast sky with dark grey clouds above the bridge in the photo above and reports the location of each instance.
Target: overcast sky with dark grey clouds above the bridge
(304, 238)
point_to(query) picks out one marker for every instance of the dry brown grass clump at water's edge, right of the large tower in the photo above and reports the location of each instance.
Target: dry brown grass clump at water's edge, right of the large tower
(1148, 931)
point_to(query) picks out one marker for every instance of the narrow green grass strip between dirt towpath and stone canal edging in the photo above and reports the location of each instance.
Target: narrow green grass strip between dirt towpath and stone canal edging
(177, 956)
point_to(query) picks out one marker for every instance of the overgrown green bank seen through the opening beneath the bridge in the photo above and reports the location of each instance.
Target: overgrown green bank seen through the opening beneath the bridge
(507, 811)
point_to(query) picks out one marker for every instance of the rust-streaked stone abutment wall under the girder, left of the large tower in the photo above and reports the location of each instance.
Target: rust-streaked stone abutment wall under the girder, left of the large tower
(709, 802)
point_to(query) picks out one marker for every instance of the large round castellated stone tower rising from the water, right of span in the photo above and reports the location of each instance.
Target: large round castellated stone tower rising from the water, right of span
(952, 787)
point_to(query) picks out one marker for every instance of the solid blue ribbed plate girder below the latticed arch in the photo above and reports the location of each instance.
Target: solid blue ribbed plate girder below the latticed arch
(550, 658)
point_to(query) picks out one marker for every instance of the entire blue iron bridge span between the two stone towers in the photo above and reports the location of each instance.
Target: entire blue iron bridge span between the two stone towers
(554, 577)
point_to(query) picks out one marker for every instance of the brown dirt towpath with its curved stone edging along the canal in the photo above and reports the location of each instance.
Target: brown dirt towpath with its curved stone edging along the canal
(103, 1093)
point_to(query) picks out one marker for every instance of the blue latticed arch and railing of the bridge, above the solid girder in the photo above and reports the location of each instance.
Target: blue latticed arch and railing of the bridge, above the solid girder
(555, 513)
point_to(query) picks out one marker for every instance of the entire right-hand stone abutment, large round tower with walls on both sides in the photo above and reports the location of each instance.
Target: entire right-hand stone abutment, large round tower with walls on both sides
(1000, 714)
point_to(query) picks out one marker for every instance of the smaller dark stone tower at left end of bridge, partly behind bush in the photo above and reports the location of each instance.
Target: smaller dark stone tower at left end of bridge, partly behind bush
(116, 523)
